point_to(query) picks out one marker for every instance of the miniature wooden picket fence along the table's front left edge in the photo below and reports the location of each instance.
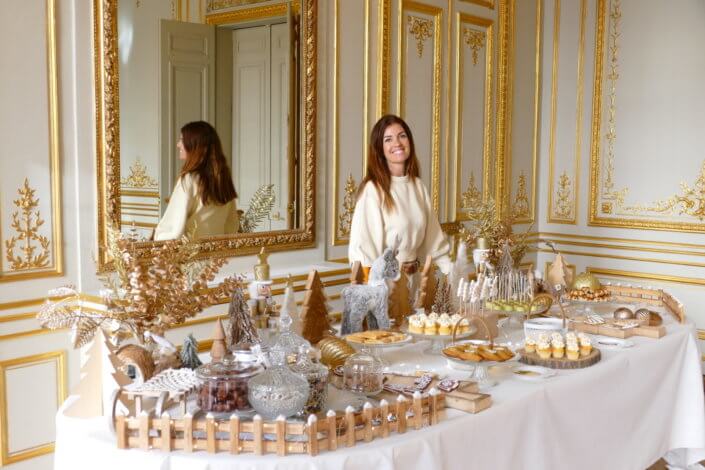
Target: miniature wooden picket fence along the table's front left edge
(329, 432)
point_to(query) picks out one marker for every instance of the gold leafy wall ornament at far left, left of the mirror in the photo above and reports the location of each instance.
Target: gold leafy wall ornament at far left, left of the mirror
(26, 222)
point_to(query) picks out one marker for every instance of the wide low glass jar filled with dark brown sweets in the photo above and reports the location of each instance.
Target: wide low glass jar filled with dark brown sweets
(224, 386)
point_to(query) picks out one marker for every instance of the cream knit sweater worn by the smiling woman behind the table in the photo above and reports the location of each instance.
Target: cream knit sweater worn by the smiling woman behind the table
(412, 219)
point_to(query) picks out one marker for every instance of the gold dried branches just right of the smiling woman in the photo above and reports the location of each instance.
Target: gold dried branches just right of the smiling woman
(498, 231)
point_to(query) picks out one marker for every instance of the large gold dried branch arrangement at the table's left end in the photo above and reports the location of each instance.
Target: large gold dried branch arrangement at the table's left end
(153, 296)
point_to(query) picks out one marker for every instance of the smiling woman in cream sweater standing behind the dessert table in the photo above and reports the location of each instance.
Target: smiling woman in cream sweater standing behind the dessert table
(392, 201)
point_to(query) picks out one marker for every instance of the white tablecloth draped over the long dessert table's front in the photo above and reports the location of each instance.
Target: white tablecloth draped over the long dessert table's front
(623, 413)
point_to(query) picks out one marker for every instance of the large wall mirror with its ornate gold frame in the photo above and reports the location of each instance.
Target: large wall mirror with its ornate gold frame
(249, 71)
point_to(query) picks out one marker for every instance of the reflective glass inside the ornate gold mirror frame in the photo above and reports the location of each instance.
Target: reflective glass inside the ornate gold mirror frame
(241, 75)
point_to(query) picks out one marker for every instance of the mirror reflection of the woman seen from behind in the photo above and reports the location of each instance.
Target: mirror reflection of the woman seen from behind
(204, 195)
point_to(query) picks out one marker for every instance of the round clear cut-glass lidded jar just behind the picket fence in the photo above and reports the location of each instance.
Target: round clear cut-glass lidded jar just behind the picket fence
(278, 390)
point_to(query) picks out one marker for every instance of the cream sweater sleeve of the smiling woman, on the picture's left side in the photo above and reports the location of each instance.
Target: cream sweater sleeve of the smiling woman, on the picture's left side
(367, 228)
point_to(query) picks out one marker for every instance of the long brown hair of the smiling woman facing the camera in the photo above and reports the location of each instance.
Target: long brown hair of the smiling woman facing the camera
(377, 168)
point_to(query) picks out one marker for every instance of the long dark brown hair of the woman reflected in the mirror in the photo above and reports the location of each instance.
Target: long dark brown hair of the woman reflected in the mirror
(206, 159)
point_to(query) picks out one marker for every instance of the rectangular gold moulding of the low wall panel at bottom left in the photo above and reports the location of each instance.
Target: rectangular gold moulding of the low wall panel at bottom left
(56, 357)
